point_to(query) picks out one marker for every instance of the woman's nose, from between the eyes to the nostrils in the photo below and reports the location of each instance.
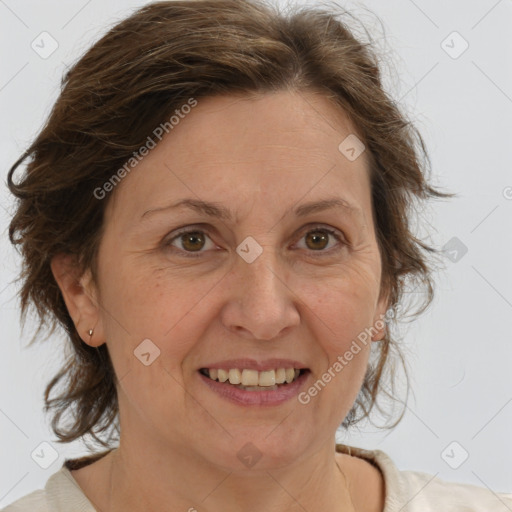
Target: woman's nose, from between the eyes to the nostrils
(261, 302)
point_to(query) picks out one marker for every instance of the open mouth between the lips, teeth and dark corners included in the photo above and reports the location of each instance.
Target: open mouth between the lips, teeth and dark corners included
(248, 379)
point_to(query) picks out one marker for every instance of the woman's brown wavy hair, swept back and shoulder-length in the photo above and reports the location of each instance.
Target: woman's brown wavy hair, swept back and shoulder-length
(131, 81)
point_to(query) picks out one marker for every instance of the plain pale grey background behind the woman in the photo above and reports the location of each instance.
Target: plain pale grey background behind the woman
(450, 69)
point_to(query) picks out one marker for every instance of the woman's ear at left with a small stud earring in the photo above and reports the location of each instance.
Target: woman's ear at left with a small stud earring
(80, 296)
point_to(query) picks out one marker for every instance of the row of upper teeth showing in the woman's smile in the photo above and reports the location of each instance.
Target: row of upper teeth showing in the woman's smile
(253, 380)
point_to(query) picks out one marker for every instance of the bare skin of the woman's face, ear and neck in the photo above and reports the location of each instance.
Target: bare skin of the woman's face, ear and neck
(257, 156)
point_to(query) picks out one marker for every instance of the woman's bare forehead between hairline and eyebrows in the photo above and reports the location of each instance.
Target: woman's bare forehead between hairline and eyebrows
(264, 149)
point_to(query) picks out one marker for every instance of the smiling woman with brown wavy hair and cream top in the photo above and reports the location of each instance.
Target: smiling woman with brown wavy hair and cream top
(217, 214)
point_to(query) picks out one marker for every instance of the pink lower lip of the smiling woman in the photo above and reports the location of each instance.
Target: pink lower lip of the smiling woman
(243, 397)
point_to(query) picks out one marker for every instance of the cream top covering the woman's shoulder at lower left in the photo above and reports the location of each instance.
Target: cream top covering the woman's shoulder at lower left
(61, 494)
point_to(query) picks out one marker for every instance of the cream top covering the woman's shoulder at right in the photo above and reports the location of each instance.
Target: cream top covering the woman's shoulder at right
(414, 491)
